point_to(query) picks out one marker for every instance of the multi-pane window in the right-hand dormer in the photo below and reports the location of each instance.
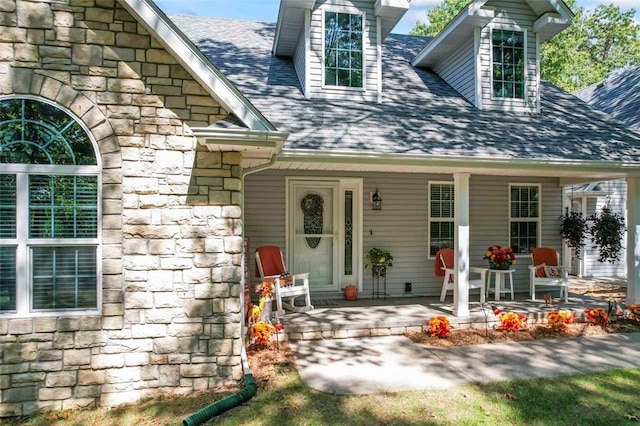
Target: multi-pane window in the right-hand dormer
(508, 63)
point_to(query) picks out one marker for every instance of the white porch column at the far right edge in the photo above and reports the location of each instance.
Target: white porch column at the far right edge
(633, 240)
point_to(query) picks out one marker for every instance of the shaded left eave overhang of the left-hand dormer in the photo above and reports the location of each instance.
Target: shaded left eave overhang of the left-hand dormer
(289, 26)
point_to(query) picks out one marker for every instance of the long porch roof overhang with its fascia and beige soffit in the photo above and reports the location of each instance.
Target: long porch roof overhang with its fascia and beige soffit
(568, 171)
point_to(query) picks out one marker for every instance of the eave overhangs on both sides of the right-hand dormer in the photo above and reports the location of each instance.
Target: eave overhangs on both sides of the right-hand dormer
(553, 17)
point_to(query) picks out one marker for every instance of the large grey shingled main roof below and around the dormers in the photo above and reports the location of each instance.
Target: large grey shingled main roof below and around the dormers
(420, 113)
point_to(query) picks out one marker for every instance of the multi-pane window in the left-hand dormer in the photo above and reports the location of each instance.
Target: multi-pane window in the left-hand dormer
(343, 65)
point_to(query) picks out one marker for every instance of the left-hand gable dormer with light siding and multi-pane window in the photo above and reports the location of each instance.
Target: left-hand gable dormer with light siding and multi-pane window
(336, 44)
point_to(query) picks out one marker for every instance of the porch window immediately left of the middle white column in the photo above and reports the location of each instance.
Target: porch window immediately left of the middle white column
(441, 220)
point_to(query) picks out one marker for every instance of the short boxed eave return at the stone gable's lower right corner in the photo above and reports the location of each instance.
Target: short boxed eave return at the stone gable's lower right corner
(260, 146)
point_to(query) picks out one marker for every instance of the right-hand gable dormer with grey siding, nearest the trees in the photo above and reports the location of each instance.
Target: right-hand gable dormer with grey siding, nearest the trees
(490, 52)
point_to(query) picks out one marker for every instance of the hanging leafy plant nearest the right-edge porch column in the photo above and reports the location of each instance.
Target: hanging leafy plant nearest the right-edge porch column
(607, 231)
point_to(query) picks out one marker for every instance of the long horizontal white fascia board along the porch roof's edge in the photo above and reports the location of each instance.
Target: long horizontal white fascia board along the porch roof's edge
(450, 161)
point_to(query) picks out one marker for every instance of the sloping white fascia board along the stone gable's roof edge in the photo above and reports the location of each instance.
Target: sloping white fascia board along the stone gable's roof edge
(198, 66)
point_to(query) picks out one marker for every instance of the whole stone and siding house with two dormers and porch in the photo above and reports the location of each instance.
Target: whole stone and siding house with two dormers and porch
(144, 158)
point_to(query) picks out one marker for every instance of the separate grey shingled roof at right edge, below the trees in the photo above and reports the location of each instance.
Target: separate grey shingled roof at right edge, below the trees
(618, 96)
